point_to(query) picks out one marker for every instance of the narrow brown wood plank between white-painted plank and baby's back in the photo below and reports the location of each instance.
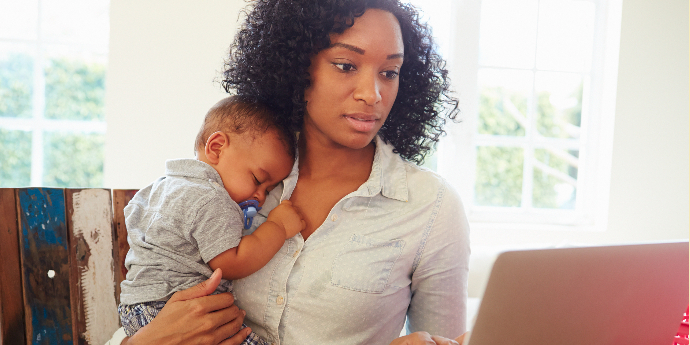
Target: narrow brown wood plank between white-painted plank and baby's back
(121, 198)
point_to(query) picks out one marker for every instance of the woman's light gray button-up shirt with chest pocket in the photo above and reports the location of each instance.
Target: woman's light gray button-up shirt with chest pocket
(398, 246)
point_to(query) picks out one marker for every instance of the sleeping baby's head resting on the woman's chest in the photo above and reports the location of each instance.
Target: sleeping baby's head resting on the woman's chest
(251, 153)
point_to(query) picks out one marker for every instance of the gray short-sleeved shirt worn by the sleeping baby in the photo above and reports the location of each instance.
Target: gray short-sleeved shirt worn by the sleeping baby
(175, 226)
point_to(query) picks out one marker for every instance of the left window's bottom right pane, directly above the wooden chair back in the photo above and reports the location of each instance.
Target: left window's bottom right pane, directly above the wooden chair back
(73, 159)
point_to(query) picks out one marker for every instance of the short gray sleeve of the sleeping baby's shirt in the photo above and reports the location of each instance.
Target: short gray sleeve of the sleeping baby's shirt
(217, 227)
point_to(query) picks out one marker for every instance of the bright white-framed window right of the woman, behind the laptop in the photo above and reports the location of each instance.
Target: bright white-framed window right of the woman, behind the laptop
(536, 83)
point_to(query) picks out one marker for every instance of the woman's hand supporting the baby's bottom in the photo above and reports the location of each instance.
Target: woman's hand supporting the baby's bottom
(193, 317)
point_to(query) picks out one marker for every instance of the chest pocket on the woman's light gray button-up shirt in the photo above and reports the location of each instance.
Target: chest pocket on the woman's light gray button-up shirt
(365, 264)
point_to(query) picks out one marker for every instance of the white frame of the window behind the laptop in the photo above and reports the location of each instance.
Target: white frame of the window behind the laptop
(456, 155)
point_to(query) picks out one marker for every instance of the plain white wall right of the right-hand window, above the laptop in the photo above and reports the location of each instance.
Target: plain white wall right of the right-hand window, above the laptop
(650, 173)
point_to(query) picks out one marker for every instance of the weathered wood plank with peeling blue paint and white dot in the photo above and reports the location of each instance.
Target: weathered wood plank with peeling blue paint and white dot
(45, 265)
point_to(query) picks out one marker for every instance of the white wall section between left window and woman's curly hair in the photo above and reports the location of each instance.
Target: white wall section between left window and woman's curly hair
(164, 58)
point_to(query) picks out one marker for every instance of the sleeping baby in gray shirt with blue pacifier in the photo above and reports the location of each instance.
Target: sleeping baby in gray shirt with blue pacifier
(188, 223)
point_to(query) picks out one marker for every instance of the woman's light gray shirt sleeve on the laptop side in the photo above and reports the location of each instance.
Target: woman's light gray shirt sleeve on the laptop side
(439, 282)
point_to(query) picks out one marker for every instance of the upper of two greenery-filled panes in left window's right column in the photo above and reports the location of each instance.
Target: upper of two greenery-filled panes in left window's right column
(75, 88)
